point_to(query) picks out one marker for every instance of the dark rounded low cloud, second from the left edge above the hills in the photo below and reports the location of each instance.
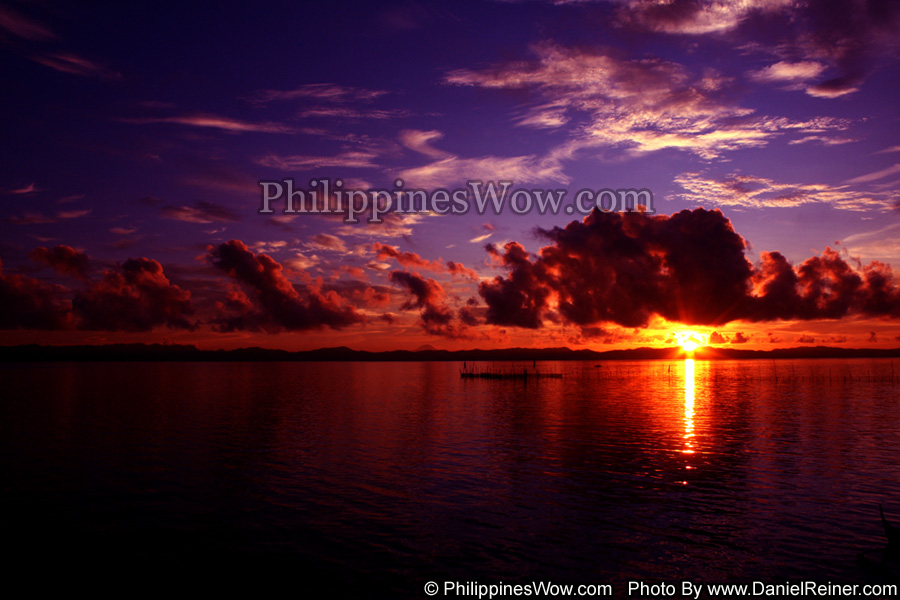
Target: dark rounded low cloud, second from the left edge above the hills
(136, 296)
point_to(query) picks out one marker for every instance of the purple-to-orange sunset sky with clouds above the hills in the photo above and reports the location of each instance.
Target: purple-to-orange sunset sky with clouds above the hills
(763, 135)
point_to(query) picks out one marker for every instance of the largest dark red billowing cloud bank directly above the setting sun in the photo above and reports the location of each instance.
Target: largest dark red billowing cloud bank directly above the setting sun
(689, 268)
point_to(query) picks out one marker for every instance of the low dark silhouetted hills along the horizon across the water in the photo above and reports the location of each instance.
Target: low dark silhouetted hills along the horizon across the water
(160, 352)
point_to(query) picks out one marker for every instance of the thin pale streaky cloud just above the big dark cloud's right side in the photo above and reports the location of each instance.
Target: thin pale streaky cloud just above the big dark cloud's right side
(759, 192)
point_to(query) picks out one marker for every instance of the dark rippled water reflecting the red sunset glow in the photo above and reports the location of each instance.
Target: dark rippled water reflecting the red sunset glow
(378, 477)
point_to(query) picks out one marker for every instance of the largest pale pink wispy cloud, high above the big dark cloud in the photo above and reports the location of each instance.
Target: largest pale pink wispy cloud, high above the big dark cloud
(641, 106)
